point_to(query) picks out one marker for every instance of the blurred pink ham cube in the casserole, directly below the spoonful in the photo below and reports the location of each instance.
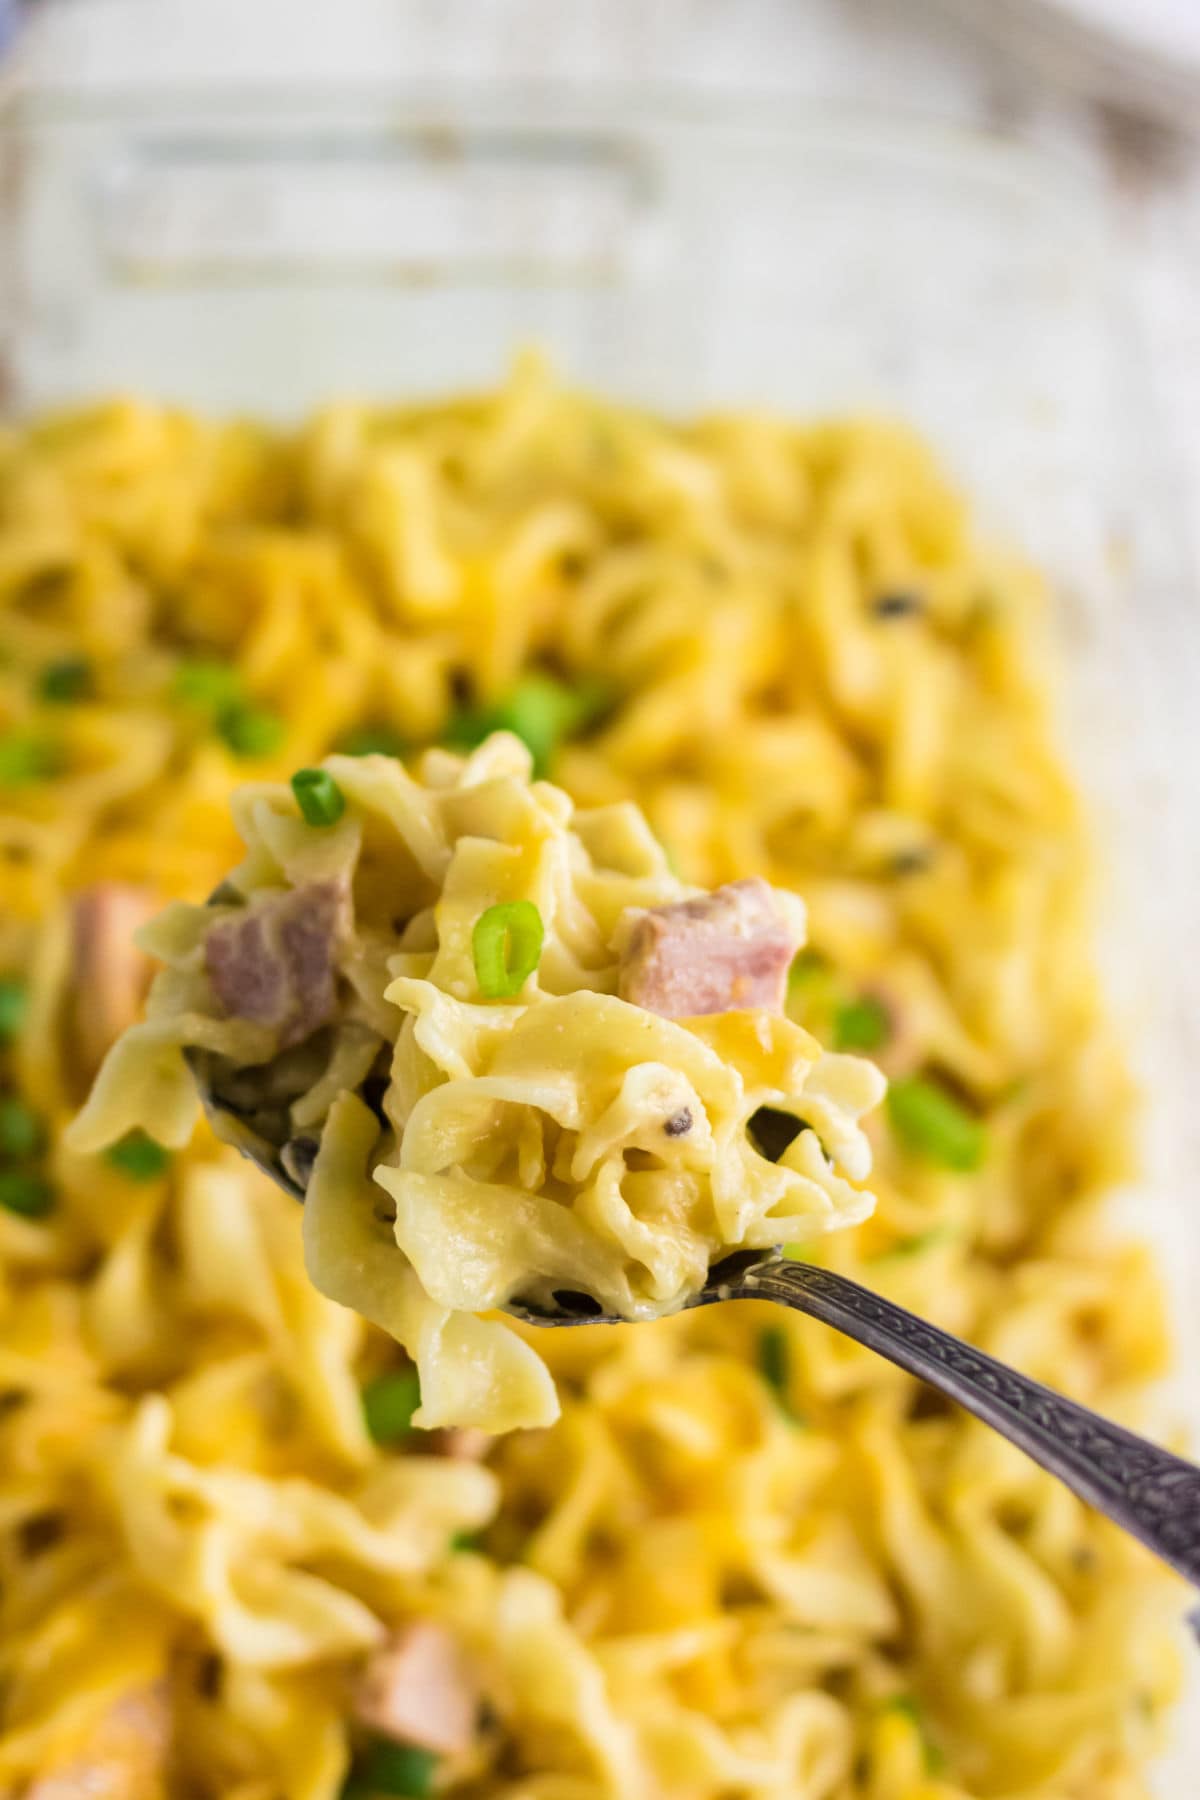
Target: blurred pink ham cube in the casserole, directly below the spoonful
(420, 1689)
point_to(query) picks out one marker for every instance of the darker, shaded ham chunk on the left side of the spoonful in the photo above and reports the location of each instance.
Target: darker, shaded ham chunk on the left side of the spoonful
(274, 964)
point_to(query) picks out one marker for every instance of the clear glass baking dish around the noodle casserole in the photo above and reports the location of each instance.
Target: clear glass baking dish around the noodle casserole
(269, 251)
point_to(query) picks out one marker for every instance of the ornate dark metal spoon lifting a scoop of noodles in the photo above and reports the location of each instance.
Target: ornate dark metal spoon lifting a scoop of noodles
(1142, 1488)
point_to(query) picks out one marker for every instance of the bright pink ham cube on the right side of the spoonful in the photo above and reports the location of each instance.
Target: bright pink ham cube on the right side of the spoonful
(728, 951)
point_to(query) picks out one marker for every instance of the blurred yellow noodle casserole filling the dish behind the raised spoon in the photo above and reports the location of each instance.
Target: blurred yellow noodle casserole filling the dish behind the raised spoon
(751, 1561)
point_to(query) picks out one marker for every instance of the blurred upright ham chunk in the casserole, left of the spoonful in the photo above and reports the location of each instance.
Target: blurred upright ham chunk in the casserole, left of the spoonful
(111, 975)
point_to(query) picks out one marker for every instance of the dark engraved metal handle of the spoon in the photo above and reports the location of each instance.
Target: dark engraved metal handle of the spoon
(1142, 1488)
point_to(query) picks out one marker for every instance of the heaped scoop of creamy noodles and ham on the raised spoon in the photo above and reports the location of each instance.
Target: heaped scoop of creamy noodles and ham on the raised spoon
(503, 1048)
